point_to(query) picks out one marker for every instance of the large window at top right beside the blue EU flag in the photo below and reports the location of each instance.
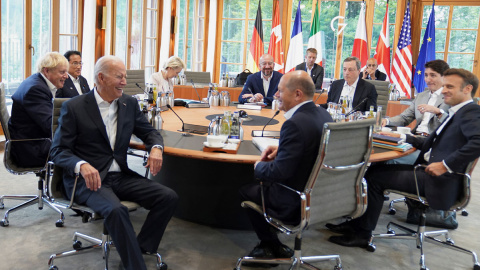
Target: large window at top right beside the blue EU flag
(455, 39)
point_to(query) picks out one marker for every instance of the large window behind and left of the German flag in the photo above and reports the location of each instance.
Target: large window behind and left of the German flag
(237, 27)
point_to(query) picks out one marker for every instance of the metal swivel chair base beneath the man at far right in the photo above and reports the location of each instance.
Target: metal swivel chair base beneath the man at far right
(421, 236)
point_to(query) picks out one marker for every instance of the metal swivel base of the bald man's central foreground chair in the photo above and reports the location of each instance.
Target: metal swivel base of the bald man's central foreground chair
(296, 261)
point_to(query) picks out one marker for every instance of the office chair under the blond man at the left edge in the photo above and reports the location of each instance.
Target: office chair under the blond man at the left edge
(15, 169)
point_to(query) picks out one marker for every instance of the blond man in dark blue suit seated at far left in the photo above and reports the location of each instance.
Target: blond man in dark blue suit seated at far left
(32, 110)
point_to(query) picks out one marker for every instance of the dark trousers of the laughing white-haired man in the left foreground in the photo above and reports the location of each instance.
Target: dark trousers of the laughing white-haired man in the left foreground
(160, 200)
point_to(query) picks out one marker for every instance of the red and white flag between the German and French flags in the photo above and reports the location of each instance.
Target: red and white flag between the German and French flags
(275, 47)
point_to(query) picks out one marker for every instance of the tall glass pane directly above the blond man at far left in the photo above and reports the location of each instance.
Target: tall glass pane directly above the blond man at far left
(41, 31)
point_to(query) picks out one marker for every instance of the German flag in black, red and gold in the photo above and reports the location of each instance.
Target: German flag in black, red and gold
(256, 45)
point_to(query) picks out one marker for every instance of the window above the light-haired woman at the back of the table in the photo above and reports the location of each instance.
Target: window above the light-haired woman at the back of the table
(191, 32)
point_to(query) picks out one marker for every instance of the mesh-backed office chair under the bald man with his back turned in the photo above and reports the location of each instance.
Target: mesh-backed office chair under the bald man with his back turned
(338, 172)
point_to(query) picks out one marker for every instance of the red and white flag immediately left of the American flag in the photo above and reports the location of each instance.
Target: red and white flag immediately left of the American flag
(382, 53)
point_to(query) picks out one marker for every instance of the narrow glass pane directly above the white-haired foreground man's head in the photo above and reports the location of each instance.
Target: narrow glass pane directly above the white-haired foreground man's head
(121, 30)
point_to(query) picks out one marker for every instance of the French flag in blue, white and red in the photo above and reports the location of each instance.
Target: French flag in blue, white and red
(295, 50)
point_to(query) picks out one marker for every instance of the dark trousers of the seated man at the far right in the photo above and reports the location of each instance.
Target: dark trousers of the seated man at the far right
(441, 194)
